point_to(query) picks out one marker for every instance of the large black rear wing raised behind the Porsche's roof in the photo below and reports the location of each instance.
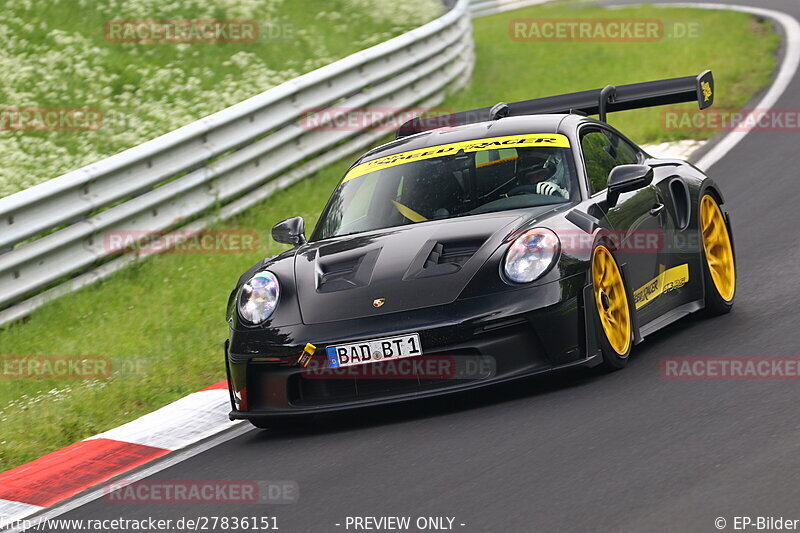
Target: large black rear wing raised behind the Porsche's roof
(595, 102)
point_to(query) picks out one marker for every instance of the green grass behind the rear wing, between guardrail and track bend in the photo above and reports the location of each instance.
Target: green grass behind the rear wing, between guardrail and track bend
(738, 48)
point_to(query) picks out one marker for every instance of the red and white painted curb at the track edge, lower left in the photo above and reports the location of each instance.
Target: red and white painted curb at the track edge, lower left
(32, 487)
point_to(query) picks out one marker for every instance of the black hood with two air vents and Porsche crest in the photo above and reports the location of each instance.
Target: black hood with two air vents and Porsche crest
(397, 269)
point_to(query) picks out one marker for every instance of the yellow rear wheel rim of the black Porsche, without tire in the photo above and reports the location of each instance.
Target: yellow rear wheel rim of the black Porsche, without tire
(718, 249)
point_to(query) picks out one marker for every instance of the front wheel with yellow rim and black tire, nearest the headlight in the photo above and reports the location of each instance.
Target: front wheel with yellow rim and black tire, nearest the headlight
(612, 308)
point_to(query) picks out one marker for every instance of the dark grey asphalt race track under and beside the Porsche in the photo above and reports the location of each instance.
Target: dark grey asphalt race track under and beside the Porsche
(626, 452)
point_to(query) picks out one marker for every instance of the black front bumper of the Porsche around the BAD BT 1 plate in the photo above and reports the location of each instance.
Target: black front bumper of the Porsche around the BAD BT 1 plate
(488, 341)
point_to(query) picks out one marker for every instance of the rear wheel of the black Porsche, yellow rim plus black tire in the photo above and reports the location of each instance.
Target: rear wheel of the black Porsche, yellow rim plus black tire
(719, 262)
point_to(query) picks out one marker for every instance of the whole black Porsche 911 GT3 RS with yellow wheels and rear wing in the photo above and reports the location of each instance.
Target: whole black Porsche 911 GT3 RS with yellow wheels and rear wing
(513, 240)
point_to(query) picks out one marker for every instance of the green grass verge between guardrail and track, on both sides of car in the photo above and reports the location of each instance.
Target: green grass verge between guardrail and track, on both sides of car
(166, 317)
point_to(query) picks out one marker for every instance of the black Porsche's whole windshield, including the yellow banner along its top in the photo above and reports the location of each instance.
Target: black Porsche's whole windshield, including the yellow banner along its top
(449, 181)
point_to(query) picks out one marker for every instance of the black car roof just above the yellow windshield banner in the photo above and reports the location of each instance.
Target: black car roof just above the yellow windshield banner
(481, 130)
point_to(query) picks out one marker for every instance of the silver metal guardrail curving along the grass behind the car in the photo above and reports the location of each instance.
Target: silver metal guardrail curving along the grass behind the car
(52, 235)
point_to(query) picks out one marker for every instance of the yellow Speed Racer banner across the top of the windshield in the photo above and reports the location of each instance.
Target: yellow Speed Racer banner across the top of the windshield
(554, 140)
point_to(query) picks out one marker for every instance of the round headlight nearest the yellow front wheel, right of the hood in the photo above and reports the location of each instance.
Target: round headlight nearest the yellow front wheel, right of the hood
(531, 255)
